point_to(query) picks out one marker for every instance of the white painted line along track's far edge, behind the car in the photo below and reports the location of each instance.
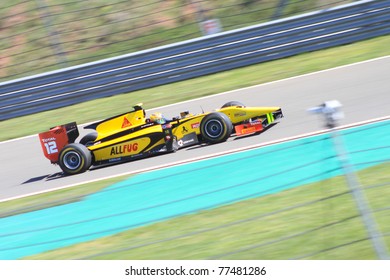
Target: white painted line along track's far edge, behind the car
(235, 90)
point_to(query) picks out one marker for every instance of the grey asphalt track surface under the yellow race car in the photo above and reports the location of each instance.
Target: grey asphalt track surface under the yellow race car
(363, 89)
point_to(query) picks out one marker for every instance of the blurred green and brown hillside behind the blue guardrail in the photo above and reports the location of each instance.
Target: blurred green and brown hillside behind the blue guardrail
(43, 35)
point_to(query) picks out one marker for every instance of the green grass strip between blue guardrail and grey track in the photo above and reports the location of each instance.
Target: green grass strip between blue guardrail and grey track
(198, 87)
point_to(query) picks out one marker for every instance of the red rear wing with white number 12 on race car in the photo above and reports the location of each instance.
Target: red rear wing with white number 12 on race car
(56, 138)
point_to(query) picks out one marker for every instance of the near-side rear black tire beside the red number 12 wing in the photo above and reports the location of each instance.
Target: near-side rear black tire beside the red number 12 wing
(75, 158)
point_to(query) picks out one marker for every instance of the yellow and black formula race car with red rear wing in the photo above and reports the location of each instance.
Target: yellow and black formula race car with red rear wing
(132, 135)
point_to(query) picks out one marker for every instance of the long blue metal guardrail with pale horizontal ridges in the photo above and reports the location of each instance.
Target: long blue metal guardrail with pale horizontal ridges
(176, 62)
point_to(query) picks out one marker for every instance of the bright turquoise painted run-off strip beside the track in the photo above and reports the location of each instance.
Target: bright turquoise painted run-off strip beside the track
(163, 194)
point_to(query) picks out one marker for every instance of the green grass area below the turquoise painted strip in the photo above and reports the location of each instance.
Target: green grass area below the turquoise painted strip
(330, 228)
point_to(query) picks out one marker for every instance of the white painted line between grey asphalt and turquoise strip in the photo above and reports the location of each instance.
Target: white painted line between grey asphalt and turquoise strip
(201, 158)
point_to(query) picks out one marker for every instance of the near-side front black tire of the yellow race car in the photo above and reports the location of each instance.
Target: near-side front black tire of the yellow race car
(216, 127)
